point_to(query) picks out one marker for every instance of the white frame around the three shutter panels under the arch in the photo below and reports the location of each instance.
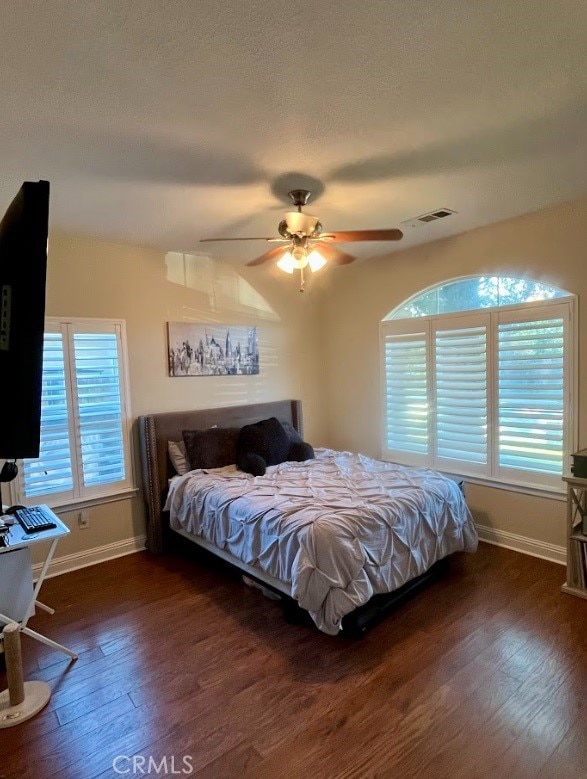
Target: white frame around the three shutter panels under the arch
(493, 475)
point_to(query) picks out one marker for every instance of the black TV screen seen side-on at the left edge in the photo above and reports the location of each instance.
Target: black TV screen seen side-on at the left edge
(23, 273)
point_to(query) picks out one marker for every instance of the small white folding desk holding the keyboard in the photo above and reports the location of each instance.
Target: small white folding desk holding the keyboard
(18, 539)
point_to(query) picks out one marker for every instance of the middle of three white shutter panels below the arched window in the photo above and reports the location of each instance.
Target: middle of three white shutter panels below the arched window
(461, 398)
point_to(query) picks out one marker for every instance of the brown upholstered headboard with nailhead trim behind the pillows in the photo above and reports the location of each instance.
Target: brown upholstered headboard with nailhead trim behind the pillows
(155, 430)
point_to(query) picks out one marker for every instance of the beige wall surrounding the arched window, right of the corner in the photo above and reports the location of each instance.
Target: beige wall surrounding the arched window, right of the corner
(549, 246)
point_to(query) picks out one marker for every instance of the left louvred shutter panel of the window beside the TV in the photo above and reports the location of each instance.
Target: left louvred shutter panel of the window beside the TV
(51, 472)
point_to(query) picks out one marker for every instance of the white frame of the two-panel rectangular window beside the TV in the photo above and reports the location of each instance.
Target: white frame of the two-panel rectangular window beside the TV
(81, 495)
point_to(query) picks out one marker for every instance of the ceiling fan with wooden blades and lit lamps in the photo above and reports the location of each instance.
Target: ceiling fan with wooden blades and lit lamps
(307, 245)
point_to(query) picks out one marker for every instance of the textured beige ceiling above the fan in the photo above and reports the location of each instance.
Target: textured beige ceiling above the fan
(159, 123)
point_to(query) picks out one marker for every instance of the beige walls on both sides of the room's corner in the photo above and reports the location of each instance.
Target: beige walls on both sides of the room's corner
(321, 347)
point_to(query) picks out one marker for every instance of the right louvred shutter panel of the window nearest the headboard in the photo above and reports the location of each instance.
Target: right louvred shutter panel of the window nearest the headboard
(99, 406)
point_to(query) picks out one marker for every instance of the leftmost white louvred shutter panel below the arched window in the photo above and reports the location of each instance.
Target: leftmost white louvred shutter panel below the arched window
(406, 395)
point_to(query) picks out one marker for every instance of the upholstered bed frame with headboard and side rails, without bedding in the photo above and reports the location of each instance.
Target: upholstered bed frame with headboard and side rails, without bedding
(155, 430)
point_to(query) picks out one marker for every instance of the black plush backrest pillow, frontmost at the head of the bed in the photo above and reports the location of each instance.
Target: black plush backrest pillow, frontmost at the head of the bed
(261, 444)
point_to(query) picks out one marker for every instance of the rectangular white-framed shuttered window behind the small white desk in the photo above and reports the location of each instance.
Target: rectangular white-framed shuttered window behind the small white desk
(85, 415)
